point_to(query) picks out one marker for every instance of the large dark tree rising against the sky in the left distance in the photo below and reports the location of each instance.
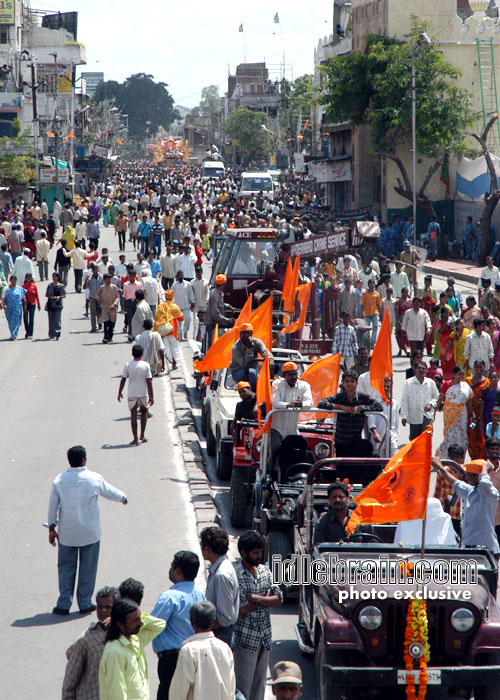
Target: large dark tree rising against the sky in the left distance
(148, 104)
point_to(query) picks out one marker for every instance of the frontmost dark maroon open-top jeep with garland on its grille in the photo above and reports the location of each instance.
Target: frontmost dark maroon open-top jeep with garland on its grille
(354, 622)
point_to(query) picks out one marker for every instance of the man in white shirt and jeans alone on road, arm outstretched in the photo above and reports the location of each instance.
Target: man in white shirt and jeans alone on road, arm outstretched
(73, 503)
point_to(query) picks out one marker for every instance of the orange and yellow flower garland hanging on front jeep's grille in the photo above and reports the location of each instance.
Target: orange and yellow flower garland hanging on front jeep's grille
(416, 631)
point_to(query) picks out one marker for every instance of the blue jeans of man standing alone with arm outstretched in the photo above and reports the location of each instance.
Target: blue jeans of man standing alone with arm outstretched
(67, 562)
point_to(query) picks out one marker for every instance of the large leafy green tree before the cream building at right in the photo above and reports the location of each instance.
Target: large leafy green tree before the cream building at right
(374, 88)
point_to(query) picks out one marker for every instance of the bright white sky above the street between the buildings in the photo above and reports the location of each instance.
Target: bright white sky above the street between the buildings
(195, 43)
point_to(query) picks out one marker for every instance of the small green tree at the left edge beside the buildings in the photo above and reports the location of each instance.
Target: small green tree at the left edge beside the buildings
(17, 160)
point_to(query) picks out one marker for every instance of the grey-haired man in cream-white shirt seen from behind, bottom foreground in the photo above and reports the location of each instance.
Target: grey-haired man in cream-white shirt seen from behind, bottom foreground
(204, 662)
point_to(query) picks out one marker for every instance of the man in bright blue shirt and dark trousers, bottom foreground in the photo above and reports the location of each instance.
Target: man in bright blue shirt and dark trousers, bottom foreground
(173, 606)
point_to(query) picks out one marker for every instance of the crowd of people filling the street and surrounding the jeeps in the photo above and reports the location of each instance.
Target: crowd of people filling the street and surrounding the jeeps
(165, 224)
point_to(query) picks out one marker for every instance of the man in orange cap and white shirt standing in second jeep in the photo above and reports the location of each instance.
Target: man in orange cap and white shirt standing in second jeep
(290, 393)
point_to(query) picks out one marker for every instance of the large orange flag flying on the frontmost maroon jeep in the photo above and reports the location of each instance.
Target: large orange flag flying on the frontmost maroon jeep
(401, 491)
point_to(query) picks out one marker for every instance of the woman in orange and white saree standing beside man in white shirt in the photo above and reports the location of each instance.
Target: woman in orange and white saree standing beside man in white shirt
(456, 401)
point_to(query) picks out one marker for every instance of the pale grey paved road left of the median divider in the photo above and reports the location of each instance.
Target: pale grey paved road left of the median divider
(54, 395)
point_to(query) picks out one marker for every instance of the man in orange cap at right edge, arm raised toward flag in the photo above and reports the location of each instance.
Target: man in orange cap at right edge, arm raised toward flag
(480, 499)
